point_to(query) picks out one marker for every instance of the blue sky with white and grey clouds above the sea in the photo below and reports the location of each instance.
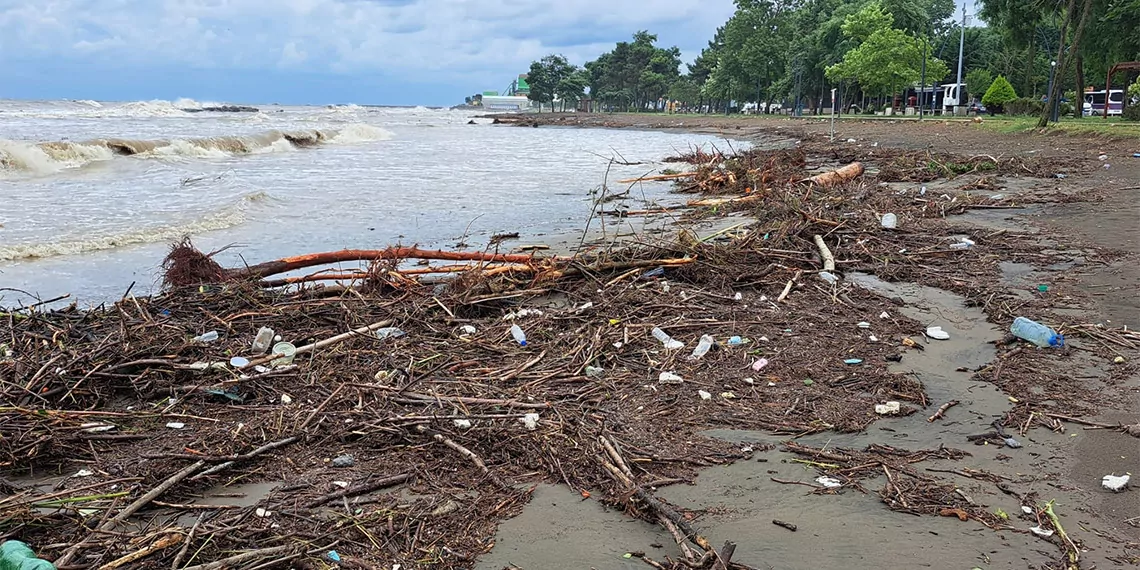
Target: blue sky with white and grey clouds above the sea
(296, 52)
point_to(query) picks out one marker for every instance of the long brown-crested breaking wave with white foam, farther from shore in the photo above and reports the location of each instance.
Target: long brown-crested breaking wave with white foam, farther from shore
(56, 157)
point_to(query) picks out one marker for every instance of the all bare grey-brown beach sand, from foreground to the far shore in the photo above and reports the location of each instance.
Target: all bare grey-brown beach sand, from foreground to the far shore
(738, 502)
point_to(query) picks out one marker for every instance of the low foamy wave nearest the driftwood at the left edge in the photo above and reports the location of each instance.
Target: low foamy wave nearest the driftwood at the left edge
(230, 217)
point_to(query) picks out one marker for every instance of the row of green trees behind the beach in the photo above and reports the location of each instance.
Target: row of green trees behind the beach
(793, 53)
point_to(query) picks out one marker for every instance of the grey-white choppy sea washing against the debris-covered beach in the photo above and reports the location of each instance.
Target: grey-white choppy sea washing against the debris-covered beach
(93, 194)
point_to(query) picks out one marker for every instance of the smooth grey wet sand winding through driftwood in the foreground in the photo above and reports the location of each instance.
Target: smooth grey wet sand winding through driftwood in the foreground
(739, 502)
